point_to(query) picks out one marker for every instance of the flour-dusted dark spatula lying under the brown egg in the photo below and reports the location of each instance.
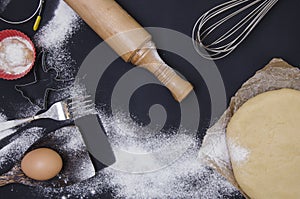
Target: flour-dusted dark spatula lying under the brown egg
(74, 170)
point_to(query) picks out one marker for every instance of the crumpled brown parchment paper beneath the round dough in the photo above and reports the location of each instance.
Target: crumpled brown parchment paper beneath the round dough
(276, 75)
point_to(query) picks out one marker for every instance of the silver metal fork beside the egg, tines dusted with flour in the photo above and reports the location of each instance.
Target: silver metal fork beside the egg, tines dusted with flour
(68, 109)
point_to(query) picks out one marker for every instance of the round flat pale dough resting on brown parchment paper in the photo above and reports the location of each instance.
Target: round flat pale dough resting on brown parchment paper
(263, 139)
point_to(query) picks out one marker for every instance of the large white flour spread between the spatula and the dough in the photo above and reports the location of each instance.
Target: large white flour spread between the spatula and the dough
(186, 177)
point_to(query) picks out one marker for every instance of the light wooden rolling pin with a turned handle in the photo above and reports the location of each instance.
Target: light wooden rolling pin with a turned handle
(132, 42)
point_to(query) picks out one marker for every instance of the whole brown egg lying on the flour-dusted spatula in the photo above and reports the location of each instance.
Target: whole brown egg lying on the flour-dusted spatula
(41, 164)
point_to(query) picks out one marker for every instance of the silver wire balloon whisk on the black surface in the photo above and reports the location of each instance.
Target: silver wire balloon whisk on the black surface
(215, 38)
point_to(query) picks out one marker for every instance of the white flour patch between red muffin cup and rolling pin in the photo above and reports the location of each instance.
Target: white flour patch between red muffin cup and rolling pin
(54, 37)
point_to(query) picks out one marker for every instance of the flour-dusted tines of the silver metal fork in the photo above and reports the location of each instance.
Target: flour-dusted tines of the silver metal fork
(80, 106)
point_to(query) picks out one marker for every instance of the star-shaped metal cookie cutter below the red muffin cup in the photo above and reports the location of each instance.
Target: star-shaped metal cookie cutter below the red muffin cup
(46, 80)
